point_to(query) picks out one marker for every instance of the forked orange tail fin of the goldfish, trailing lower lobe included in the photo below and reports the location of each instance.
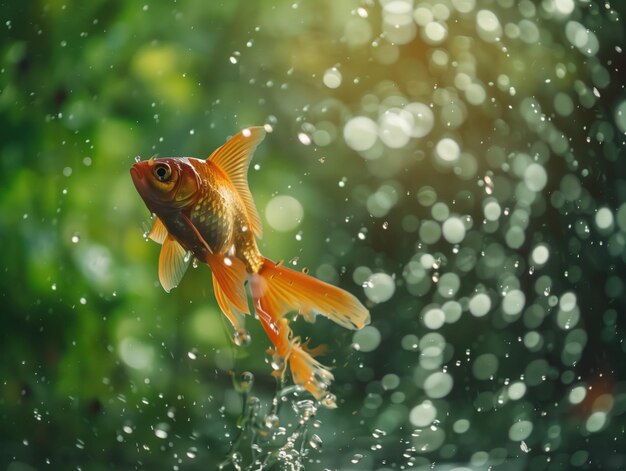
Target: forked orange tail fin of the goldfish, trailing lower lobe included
(278, 290)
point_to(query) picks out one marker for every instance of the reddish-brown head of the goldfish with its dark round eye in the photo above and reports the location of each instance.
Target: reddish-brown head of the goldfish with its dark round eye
(171, 183)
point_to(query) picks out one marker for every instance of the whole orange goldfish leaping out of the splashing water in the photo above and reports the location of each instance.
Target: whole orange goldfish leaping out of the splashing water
(204, 208)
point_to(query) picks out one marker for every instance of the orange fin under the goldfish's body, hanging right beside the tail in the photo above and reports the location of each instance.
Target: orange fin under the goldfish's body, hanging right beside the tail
(229, 278)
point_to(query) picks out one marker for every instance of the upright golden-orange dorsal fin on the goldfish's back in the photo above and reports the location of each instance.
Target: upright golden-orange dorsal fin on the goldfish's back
(234, 158)
